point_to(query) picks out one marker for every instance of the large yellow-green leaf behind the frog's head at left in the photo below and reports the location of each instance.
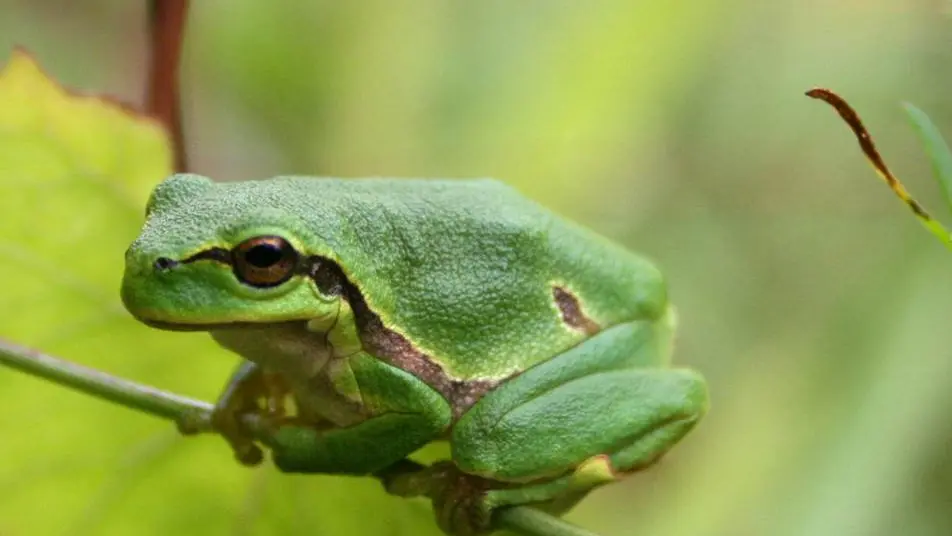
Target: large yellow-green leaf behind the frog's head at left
(75, 172)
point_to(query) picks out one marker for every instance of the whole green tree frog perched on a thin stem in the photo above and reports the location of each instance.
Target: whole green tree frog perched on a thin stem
(398, 312)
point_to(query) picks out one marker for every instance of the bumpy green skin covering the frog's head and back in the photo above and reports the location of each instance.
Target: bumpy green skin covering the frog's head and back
(456, 266)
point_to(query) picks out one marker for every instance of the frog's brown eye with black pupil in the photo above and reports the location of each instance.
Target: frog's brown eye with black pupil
(264, 261)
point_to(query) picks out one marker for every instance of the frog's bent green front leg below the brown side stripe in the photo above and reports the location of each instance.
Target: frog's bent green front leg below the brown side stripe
(404, 414)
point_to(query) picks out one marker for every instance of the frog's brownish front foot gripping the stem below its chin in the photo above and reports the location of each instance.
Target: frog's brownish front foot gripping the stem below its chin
(250, 391)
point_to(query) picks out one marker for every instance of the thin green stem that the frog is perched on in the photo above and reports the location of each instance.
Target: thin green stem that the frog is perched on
(197, 414)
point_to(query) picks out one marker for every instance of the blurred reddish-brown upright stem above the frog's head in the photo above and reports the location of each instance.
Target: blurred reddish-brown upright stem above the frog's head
(166, 30)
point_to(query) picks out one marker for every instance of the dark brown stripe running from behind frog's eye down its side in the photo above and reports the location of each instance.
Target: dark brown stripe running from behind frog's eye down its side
(391, 346)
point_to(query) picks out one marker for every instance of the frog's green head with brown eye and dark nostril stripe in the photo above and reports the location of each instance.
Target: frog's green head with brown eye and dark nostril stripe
(213, 255)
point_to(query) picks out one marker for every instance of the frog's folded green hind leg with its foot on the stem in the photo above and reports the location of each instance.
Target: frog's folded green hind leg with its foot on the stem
(584, 418)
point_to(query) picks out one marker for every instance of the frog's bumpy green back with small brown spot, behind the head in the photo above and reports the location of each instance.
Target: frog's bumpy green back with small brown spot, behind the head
(483, 280)
